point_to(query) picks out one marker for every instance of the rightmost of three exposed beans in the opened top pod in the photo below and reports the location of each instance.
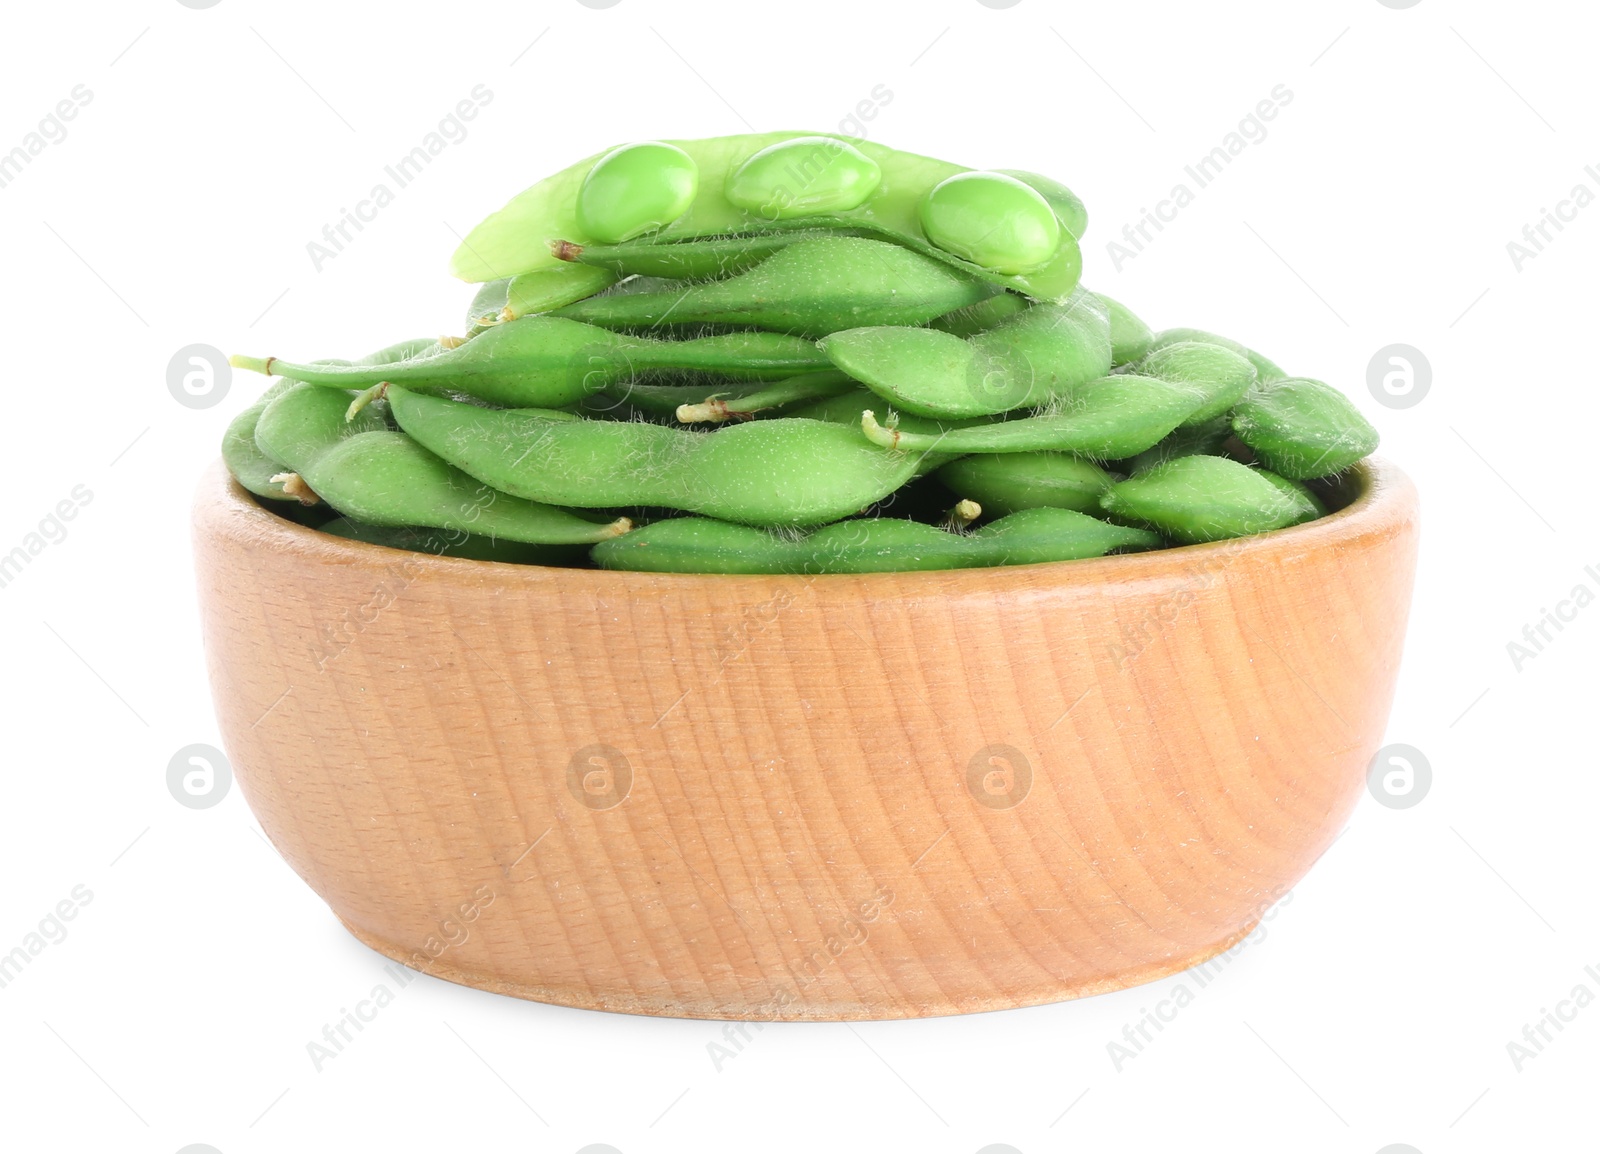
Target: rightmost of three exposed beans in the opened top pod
(991, 220)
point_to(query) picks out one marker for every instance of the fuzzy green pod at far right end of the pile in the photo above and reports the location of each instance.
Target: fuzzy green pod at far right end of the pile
(1300, 428)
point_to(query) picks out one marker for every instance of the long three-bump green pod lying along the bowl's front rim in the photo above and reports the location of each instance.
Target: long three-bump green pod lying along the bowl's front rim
(871, 545)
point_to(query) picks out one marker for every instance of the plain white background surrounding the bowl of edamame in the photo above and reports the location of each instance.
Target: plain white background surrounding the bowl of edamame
(1378, 209)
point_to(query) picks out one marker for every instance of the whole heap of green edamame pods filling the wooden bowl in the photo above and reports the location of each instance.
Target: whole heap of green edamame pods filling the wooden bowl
(790, 353)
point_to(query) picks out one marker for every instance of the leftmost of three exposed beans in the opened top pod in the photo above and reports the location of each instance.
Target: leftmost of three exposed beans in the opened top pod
(636, 190)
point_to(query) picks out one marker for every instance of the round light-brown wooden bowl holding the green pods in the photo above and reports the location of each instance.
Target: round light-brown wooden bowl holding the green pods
(839, 798)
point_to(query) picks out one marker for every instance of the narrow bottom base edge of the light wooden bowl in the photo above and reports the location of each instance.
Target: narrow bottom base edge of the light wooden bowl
(628, 1003)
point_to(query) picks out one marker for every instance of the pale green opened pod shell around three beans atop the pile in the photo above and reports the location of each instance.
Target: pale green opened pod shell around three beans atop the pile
(516, 239)
